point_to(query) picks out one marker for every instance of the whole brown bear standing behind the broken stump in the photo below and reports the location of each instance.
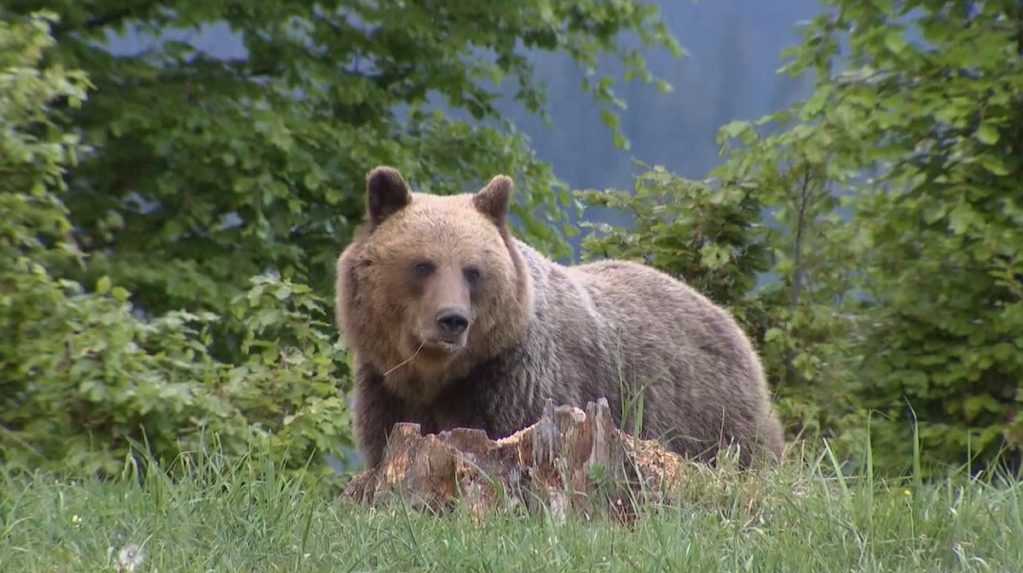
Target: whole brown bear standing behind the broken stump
(454, 323)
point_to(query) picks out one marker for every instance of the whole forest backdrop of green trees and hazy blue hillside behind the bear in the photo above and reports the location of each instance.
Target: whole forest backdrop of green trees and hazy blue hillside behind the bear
(177, 180)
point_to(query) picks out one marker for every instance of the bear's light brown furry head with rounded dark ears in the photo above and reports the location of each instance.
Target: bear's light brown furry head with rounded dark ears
(431, 286)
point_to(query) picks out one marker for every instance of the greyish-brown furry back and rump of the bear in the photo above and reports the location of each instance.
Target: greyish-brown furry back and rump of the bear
(640, 331)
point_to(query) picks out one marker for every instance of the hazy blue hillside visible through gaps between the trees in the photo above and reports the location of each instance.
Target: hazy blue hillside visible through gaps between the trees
(734, 50)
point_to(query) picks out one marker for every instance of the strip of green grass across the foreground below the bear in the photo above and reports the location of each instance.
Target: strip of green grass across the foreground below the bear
(249, 516)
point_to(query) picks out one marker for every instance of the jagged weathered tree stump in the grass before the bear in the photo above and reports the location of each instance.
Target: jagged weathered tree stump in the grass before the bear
(568, 461)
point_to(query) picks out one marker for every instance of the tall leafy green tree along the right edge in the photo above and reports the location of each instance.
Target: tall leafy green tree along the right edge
(930, 111)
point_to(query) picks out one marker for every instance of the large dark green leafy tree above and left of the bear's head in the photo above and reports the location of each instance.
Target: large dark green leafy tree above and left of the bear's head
(209, 170)
